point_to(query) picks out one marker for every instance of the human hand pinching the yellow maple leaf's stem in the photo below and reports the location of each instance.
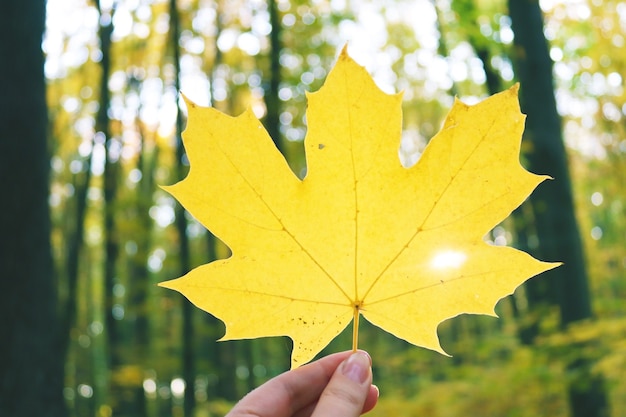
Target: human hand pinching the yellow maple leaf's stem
(339, 385)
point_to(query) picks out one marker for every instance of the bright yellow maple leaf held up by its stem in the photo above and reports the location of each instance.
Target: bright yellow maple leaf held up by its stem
(360, 234)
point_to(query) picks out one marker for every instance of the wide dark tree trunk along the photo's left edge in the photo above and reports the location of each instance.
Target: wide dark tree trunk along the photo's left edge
(31, 357)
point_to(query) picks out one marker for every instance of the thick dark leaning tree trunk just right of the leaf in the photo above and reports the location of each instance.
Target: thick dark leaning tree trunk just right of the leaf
(552, 202)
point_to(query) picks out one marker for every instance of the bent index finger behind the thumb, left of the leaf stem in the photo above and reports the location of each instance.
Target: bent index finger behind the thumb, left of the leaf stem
(291, 391)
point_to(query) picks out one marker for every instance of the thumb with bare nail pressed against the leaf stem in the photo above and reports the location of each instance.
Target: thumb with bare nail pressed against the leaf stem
(345, 394)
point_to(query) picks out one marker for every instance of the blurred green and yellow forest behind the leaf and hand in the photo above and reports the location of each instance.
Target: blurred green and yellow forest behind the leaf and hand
(85, 330)
